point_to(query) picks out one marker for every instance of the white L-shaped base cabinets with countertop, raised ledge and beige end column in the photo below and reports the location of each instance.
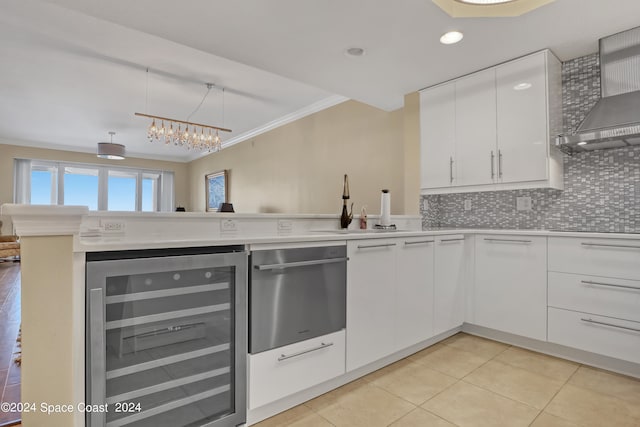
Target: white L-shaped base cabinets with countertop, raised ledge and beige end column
(438, 282)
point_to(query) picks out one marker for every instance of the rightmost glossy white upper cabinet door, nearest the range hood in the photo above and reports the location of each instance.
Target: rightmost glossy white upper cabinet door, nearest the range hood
(523, 137)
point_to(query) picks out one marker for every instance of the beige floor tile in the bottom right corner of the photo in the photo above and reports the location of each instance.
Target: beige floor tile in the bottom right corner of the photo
(589, 408)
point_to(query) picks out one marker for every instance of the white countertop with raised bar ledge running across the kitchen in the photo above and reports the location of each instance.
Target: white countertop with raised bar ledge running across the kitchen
(173, 230)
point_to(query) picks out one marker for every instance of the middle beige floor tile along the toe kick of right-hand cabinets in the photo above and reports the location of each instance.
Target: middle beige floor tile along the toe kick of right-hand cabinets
(539, 363)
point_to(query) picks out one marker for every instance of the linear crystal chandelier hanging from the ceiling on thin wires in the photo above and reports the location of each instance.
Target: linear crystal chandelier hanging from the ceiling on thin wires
(192, 136)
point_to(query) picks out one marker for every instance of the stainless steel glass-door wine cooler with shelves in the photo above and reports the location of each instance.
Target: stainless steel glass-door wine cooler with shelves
(166, 337)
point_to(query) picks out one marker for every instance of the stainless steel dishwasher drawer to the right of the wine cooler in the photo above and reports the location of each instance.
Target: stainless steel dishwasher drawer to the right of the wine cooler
(296, 294)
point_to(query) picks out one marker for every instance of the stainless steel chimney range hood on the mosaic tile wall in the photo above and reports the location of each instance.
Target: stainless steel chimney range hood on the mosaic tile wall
(615, 119)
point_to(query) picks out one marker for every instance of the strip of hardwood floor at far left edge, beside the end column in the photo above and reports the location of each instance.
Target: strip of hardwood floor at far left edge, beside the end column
(9, 328)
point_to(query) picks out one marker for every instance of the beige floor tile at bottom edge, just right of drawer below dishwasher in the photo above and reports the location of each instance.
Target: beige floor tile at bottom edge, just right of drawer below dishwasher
(367, 406)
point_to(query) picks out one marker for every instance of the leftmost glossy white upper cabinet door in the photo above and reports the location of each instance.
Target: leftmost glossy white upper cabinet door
(437, 136)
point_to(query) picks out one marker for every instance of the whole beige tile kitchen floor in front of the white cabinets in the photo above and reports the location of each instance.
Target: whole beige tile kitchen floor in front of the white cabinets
(470, 381)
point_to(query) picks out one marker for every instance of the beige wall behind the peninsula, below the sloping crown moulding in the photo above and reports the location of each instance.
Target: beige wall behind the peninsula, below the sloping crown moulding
(299, 167)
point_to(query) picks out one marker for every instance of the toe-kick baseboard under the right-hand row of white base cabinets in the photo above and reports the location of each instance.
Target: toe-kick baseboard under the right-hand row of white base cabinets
(587, 358)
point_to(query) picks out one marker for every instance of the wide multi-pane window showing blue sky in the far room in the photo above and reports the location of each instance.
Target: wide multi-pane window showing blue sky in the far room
(96, 186)
